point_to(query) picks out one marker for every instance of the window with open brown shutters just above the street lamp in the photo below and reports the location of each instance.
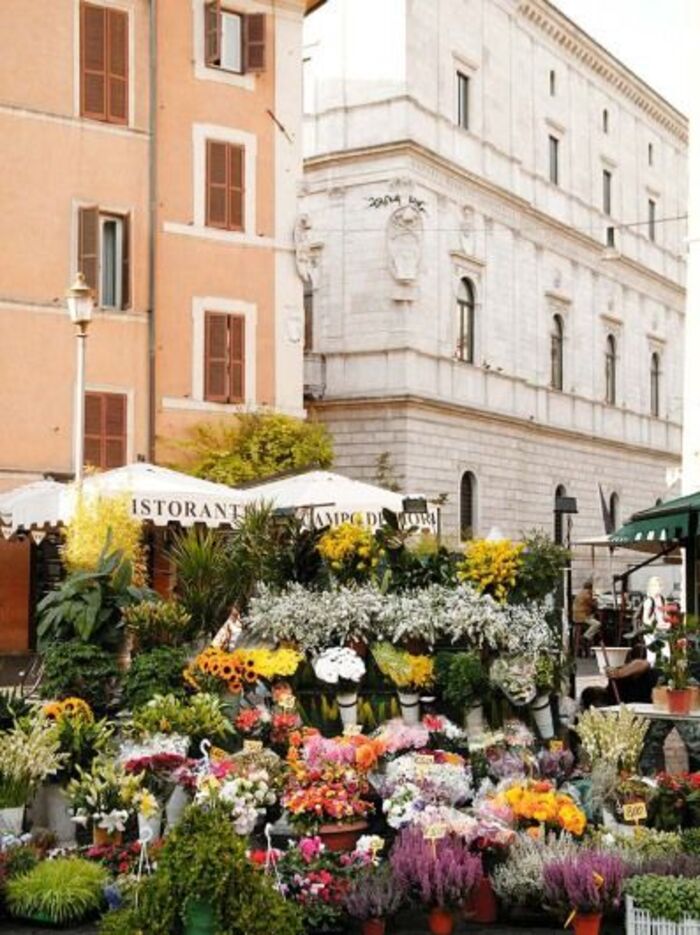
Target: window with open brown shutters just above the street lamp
(103, 256)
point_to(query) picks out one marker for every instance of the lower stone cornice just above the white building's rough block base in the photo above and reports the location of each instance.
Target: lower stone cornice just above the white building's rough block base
(363, 403)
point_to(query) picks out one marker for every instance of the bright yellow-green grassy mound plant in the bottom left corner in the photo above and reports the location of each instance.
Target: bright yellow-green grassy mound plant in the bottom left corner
(61, 891)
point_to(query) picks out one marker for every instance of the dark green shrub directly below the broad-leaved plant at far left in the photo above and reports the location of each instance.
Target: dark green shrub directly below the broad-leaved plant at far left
(82, 670)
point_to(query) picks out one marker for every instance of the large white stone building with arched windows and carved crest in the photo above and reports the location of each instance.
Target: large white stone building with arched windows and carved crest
(493, 241)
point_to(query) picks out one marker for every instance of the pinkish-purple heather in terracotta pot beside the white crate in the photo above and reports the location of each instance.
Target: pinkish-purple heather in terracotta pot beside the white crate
(588, 881)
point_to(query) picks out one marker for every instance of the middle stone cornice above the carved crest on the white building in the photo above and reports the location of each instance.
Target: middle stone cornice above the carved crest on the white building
(538, 219)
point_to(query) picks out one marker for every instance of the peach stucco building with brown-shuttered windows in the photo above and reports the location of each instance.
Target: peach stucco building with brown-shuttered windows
(155, 146)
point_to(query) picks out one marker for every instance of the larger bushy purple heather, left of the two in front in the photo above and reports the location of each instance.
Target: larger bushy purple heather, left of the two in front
(440, 873)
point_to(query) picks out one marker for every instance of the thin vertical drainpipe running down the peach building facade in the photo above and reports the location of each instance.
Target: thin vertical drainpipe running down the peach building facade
(152, 222)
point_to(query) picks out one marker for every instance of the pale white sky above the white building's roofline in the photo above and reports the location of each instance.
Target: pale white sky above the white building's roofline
(649, 36)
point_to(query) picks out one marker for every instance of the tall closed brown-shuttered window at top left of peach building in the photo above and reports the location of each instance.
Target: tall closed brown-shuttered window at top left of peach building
(104, 63)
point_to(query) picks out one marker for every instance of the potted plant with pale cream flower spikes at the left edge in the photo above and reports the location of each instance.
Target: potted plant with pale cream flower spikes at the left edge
(29, 753)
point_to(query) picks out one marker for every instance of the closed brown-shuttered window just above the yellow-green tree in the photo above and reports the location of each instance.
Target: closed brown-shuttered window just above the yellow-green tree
(224, 358)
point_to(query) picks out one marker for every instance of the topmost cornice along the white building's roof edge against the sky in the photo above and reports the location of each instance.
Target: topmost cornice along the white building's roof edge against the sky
(576, 42)
